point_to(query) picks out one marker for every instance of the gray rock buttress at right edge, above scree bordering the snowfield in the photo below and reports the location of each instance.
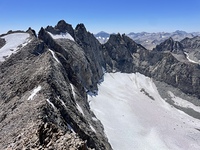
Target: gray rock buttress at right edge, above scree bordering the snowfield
(184, 76)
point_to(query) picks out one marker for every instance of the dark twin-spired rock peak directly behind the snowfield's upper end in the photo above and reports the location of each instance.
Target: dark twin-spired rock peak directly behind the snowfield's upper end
(118, 53)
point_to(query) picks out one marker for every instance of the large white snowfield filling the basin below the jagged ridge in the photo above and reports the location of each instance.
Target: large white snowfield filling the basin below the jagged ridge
(135, 116)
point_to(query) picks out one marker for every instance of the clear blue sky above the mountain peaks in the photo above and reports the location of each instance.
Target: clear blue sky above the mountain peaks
(122, 16)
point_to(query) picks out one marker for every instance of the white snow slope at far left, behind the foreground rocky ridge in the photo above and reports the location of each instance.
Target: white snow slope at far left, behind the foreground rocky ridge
(14, 42)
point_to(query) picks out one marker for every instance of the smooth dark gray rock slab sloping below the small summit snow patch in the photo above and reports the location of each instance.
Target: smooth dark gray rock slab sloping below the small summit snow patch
(74, 59)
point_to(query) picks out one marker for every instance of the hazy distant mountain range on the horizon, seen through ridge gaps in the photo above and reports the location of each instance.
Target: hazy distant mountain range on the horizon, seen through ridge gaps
(150, 40)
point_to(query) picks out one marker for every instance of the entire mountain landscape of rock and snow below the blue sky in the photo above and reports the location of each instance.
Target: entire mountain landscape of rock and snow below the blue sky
(63, 89)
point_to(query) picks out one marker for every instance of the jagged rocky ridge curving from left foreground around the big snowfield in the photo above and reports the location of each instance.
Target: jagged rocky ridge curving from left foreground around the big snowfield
(45, 81)
